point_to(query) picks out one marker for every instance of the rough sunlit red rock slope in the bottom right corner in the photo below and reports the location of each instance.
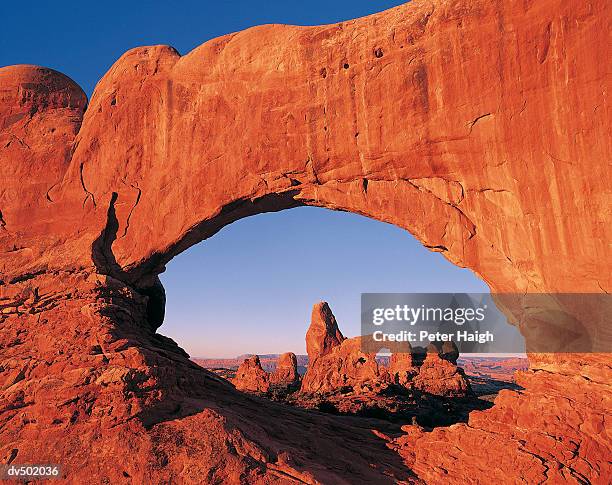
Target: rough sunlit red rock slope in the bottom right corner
(507, 434)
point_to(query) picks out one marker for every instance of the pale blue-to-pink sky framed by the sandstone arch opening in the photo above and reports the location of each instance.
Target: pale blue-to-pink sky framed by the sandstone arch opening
(248, 290)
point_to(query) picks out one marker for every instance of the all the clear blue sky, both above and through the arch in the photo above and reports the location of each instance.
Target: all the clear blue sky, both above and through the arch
(250, 288)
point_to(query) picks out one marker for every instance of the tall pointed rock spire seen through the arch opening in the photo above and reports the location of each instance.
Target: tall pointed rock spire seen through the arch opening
(323, 334)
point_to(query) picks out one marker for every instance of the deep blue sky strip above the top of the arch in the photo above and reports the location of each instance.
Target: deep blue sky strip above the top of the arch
(83, 39)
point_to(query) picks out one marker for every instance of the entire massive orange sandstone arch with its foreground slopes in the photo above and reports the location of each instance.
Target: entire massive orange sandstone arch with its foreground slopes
(480, 127)
